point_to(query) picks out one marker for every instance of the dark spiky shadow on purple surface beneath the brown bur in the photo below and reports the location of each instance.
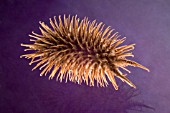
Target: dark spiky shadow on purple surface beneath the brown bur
(75, 99)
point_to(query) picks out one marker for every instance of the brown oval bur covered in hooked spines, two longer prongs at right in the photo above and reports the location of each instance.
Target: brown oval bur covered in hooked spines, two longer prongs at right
(83, 50)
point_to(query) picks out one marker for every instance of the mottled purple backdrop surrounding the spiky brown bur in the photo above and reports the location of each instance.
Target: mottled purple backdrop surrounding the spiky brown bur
(144, 22)
